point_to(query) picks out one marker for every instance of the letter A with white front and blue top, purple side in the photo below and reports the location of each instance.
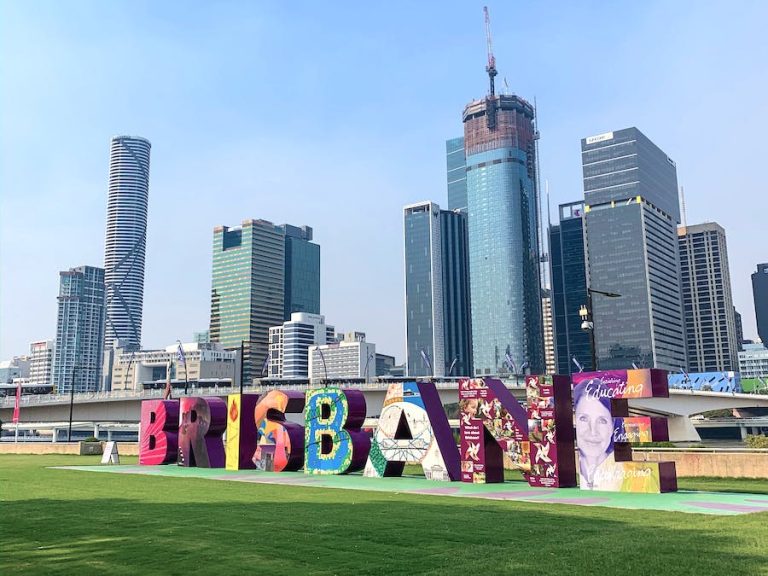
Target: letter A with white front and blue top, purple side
(413, 428)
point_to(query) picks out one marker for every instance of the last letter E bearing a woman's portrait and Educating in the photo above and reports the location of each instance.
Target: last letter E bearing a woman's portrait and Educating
(604, 431)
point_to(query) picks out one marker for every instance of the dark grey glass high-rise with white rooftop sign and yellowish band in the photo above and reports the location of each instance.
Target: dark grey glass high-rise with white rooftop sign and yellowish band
(632, 212)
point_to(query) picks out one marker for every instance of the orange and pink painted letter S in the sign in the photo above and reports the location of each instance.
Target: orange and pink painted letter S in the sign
(280, 443)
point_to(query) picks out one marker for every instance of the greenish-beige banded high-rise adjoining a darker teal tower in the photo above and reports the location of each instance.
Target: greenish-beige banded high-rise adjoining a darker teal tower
(247, 296)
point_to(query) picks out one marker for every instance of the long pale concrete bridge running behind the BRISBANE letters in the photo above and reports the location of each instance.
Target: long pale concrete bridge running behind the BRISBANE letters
(124, 407)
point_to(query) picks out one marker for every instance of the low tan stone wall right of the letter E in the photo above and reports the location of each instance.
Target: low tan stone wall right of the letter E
(719, 464)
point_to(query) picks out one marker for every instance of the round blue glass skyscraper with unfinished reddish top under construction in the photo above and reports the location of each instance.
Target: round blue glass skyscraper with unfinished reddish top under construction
(500, 150)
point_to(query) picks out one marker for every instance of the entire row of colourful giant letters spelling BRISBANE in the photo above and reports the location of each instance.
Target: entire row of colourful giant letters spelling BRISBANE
(589, 410)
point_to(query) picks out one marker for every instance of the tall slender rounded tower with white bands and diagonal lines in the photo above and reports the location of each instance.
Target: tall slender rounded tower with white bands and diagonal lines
(126, 239)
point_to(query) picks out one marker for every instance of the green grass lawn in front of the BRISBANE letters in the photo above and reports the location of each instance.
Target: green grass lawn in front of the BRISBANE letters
(72, 522)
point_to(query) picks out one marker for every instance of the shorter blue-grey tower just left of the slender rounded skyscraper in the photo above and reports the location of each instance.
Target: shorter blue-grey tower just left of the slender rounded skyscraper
(79, 330)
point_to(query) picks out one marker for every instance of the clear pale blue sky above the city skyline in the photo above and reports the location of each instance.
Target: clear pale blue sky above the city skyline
(335, 115)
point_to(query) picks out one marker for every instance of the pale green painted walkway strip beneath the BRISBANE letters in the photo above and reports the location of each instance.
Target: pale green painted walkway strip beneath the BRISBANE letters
(683, 501)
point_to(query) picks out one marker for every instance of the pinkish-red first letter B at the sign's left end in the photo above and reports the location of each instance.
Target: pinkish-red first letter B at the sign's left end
(159, 432)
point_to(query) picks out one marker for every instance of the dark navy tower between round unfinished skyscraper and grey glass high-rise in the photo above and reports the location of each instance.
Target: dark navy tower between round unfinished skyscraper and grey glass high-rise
(569, 289)
